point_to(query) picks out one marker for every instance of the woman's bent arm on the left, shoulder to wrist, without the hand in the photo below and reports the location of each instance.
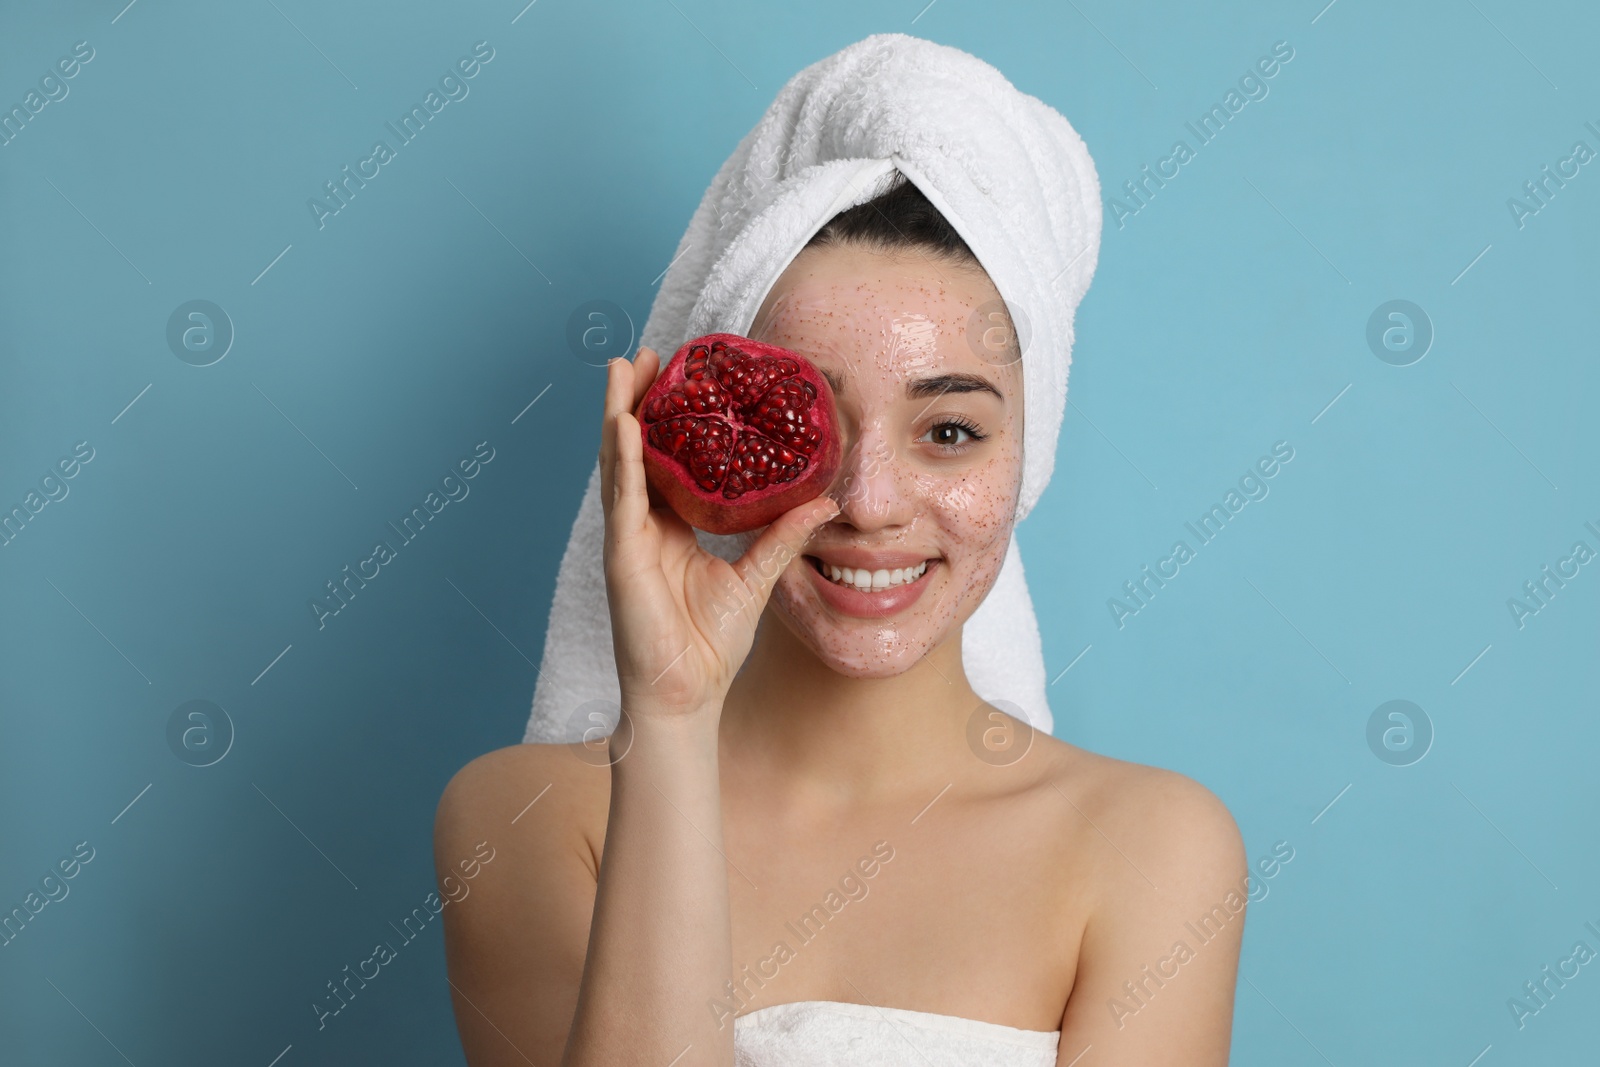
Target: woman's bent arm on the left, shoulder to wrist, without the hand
(550, 969)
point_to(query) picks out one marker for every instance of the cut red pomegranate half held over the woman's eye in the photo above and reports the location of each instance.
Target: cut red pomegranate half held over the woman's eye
(738, 433)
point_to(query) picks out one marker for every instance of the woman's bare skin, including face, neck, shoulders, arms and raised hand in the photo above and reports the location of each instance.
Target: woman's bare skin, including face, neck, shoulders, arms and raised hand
(780, 749)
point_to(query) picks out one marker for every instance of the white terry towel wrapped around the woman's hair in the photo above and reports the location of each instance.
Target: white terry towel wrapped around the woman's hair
(1015, 182)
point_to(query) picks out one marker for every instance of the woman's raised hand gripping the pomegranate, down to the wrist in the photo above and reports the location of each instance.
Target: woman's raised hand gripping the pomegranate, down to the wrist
(682, 620)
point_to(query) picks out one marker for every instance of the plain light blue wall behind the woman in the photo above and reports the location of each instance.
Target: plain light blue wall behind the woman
(426, 316)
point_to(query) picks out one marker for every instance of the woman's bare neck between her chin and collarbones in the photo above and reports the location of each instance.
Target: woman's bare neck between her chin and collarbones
(794, 719)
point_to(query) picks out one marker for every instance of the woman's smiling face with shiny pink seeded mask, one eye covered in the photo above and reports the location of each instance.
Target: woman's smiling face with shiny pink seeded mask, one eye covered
(930, 399)
